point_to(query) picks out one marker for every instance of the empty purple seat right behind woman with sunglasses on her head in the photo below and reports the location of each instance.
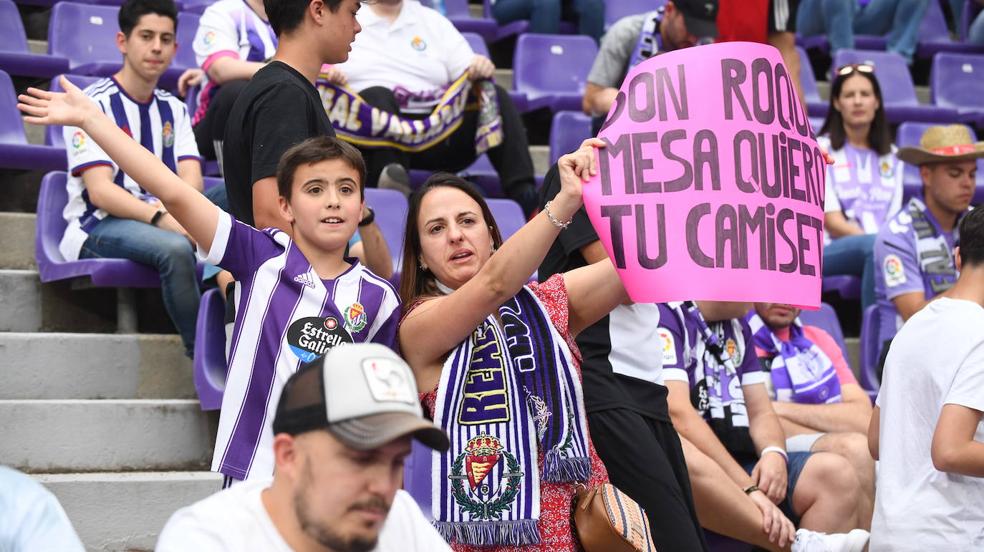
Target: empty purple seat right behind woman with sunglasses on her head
(897, 87)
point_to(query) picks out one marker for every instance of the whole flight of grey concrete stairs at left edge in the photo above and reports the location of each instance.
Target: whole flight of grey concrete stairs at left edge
(108, 422)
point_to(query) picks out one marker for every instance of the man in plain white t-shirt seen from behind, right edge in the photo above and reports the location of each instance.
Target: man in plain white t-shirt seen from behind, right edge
(926, 428)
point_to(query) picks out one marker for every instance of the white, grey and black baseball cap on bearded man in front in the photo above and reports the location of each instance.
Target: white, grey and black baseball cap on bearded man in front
(364, 394)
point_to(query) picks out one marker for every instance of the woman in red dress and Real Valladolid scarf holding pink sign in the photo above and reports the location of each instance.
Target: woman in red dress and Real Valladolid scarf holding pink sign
(499, 361)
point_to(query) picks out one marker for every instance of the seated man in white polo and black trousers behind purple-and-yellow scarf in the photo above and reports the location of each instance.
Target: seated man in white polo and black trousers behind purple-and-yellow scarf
(403, 61)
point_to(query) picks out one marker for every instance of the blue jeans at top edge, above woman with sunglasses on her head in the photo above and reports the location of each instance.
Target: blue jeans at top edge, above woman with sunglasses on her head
(840, 19)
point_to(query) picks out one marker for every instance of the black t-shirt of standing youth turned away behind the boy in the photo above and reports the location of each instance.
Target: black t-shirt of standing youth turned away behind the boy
(279, 108)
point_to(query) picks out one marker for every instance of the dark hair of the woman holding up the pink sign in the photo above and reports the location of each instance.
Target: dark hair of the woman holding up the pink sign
(414, 280)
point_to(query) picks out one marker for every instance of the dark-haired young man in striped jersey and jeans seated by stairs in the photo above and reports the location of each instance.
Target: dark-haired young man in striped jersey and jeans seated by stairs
(109, 214)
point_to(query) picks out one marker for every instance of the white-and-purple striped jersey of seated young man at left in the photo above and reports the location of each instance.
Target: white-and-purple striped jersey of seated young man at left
(161, 125)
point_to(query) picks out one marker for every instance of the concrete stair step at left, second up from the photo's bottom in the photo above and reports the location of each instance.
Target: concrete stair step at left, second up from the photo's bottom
(105, 435)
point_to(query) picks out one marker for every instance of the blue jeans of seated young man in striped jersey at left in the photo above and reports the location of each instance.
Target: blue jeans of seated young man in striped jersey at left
(168, 252)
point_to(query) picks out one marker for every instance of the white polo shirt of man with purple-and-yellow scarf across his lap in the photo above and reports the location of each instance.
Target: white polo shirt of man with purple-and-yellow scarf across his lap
(417, 56)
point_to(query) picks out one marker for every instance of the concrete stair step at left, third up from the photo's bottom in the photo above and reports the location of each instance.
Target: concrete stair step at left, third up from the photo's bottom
(52, 366)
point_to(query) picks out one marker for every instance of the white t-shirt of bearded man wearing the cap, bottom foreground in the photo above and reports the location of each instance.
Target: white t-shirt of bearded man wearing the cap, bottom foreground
(235, 520)
